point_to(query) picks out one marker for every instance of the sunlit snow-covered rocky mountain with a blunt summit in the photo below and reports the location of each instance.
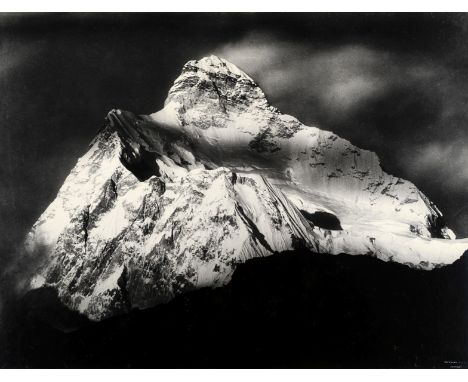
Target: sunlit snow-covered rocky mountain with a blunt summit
(174, 201)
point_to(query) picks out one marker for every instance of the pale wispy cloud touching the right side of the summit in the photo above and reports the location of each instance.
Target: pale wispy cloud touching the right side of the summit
(336, 79)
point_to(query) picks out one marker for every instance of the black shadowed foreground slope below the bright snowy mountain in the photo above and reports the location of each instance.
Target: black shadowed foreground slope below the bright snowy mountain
(296, 309)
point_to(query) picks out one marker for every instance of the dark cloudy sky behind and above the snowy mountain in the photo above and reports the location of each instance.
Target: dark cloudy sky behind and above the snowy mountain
(393, 83)
